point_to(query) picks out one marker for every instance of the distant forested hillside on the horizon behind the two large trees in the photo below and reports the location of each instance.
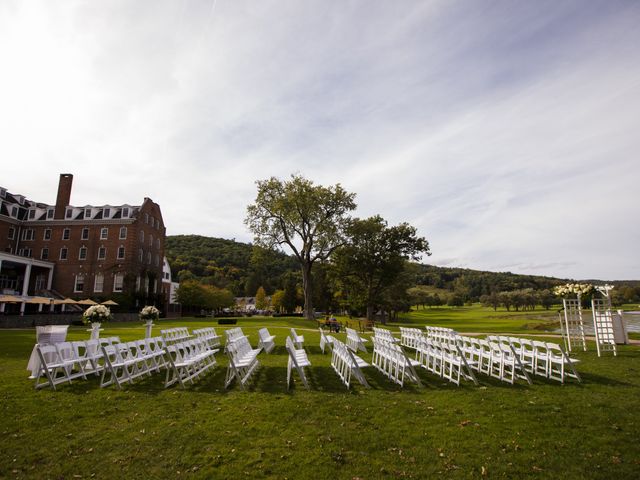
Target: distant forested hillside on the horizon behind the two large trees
(243, 268)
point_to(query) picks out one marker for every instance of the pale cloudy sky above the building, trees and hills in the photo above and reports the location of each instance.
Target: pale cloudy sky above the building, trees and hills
(507, 132)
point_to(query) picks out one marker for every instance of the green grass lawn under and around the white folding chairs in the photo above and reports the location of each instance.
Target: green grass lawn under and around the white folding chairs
(545, 430)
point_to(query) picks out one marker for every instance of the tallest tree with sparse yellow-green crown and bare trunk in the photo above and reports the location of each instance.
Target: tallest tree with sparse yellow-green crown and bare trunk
(309, 219)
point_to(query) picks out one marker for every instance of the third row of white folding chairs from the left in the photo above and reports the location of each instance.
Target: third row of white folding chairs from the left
(188, 360)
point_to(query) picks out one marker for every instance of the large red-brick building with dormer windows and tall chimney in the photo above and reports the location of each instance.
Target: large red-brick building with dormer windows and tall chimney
(81, 252)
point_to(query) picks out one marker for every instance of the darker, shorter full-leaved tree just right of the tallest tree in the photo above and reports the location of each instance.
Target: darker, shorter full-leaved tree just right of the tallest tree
(374, 257)
